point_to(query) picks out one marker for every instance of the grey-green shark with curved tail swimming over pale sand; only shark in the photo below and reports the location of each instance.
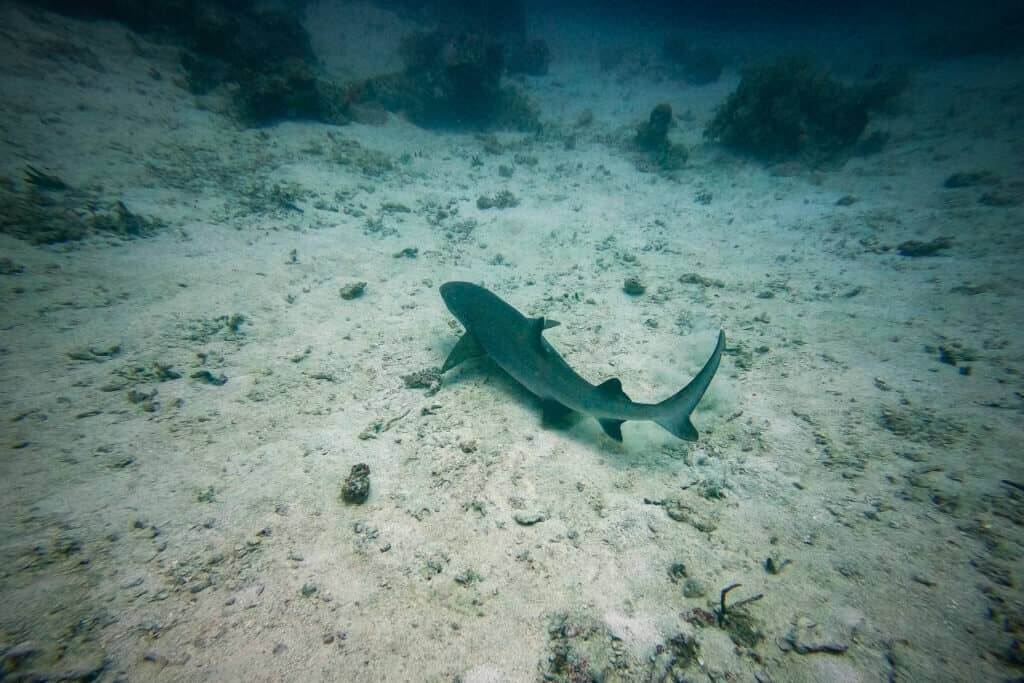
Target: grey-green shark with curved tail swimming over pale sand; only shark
(517, 345)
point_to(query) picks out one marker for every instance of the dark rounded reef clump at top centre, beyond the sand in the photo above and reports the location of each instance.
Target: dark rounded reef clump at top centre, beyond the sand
(452, 81)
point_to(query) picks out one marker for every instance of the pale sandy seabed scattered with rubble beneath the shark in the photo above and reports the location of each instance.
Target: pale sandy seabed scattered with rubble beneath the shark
(894, 543)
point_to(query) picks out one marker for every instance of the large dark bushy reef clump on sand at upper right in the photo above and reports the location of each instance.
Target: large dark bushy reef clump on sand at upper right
(793, 109)
